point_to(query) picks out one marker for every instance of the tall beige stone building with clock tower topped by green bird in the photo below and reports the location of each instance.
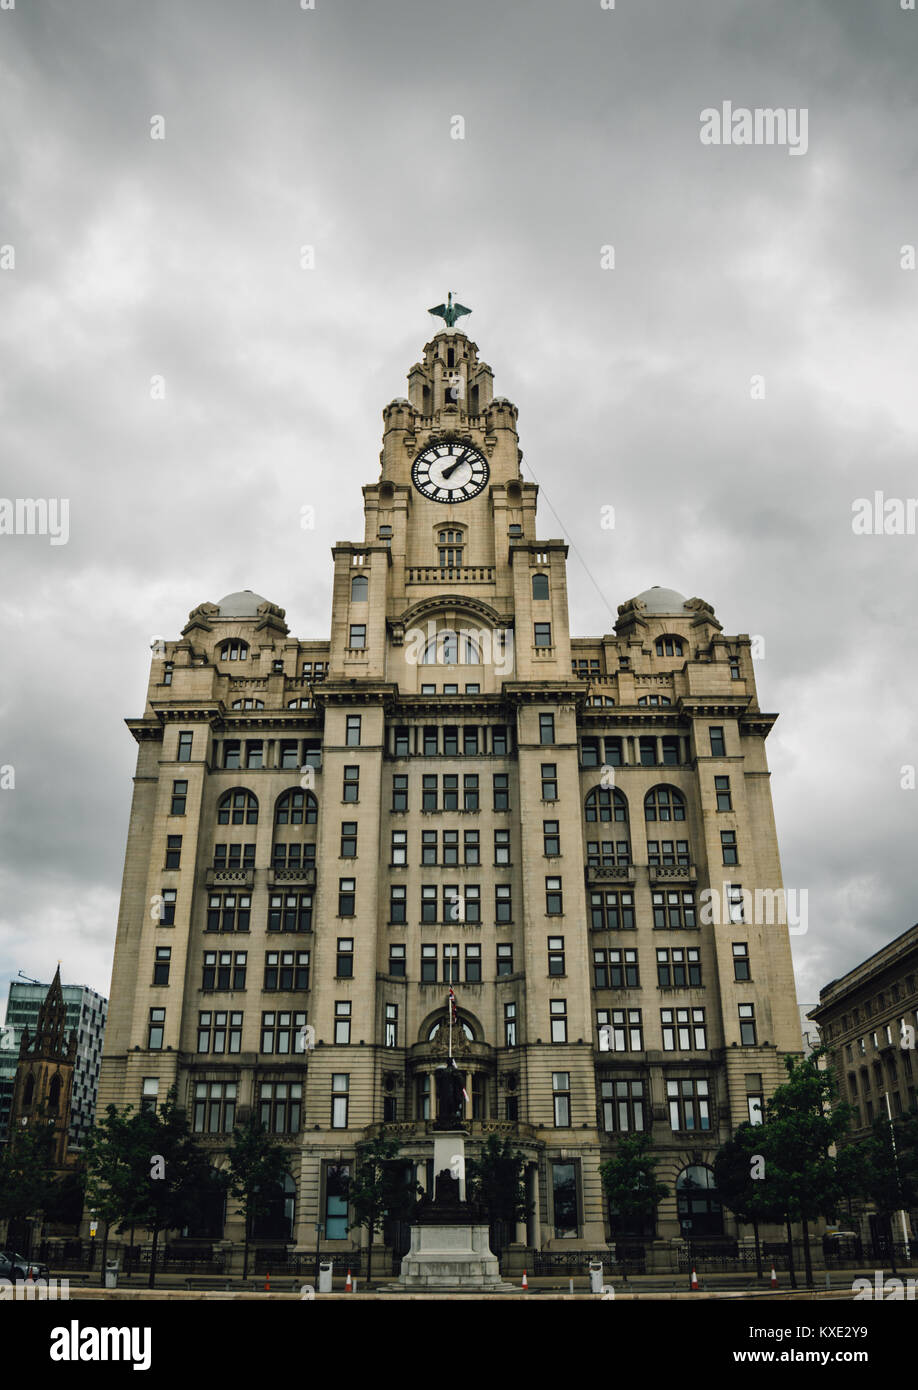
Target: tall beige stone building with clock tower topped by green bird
(450, 790)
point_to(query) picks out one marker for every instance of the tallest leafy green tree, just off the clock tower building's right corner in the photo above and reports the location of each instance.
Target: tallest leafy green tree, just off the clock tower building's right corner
(803, 1121)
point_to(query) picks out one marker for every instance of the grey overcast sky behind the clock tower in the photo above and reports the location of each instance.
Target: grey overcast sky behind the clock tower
(332, 129)
